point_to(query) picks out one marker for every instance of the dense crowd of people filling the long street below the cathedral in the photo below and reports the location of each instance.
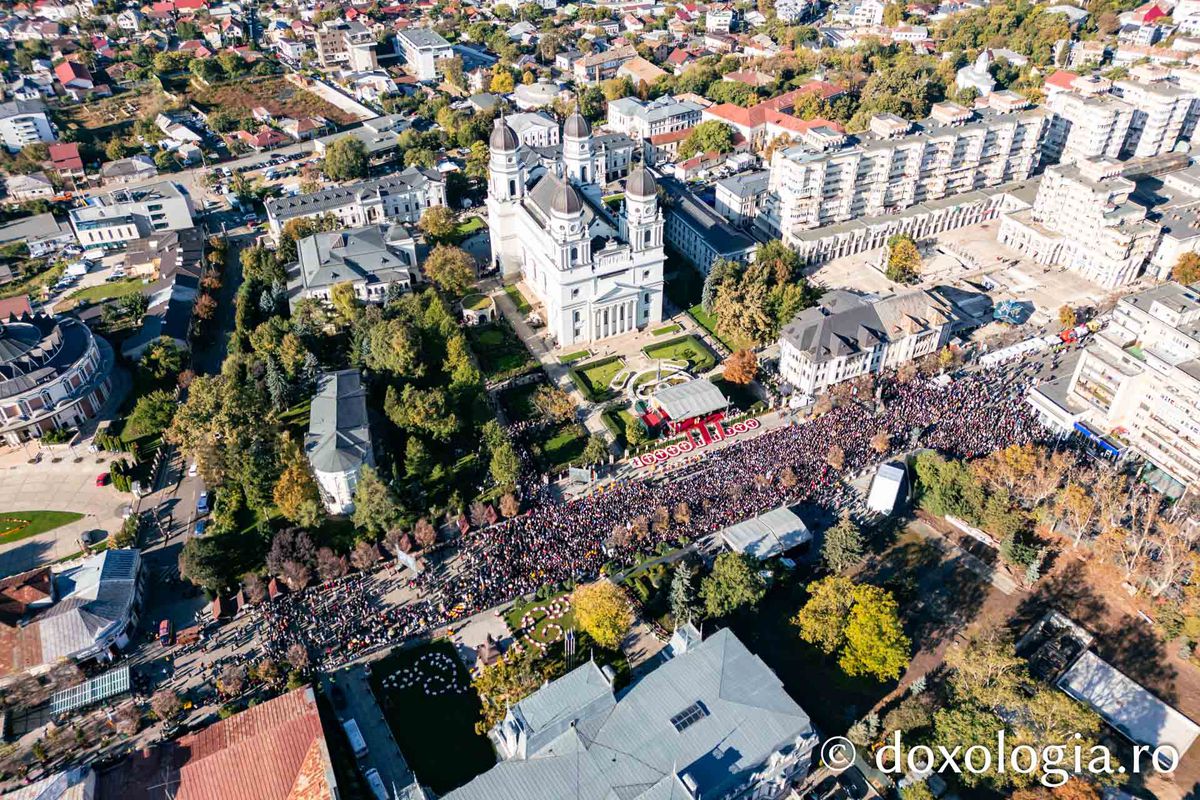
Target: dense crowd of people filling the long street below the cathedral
(561, 543)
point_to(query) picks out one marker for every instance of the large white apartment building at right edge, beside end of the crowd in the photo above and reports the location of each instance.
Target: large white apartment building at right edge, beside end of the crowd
(1137, 386)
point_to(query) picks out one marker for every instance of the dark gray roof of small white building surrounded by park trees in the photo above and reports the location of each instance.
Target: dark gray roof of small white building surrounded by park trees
(339, 434)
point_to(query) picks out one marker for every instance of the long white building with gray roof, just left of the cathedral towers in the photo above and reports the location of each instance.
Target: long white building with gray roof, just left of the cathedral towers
(400, 197)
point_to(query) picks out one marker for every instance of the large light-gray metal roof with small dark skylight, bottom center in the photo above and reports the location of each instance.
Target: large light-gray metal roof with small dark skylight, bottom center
(710, 718)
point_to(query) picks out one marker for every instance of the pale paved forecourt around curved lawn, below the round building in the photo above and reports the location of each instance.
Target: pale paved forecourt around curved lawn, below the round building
(65, 486)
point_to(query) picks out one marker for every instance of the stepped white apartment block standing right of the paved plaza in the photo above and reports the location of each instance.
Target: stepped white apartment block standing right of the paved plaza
(1083, 220)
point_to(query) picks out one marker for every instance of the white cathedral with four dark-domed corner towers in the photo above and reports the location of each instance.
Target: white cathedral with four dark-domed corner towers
(596, 275)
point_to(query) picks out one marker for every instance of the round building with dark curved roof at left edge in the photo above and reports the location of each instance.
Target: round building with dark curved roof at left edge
(55, 374)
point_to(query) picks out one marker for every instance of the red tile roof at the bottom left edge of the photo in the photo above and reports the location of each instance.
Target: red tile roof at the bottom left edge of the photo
(274, 751)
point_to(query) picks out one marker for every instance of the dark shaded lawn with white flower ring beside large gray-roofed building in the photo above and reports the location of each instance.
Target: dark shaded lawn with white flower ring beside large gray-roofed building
(435, 732)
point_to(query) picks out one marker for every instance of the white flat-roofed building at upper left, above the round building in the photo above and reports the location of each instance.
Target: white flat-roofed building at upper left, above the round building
(119, 218)
